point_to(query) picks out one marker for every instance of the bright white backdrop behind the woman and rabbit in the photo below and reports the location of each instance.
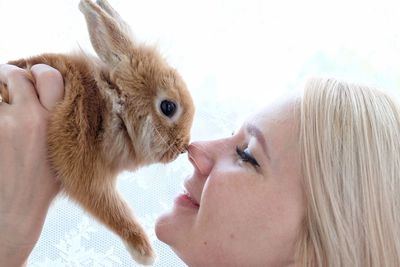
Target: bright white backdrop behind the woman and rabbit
(235, 56)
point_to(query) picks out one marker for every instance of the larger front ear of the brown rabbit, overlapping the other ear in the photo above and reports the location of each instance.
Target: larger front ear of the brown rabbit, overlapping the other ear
(108, 36)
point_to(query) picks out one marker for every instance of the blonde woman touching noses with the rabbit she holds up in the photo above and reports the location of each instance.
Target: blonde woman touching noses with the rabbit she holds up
(310, 181)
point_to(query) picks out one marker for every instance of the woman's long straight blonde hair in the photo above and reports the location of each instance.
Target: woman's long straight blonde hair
(350, 142)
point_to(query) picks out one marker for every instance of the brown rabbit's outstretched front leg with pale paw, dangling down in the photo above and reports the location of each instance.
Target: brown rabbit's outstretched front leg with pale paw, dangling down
(108, 207)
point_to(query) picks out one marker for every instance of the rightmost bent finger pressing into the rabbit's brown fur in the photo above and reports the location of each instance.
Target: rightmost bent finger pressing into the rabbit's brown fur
(49, 85)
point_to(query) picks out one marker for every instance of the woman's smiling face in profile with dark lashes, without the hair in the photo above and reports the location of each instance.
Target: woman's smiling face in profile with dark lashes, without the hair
(244, 203)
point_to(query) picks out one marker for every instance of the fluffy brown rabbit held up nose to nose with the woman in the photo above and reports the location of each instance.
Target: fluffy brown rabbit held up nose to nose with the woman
(122, 111)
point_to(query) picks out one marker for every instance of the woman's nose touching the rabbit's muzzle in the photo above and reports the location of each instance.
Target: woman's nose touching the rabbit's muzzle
(200, 157)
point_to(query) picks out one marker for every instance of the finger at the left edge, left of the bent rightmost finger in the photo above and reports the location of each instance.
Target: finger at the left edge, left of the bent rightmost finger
(19, 83)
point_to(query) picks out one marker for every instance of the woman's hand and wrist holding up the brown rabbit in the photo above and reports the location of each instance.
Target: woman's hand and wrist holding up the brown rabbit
(27, 183)
